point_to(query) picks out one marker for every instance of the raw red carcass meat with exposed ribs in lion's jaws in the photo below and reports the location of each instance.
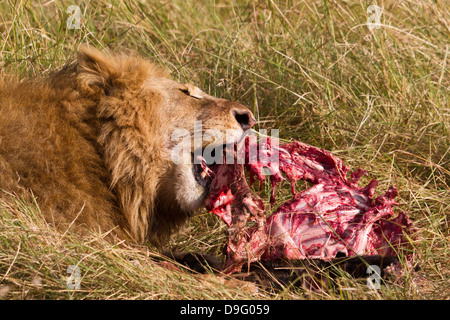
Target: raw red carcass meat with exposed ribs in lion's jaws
(334, 217)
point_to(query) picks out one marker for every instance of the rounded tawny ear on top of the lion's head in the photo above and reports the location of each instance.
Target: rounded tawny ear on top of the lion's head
(96, 69)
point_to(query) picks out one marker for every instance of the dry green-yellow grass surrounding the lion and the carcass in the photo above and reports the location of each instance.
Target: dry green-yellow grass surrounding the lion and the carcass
(312, 69)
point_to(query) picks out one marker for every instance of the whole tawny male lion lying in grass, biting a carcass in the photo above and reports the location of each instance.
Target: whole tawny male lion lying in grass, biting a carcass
(92, 142)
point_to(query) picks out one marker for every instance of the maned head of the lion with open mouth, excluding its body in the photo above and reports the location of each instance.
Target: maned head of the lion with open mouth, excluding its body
(152, 131)
